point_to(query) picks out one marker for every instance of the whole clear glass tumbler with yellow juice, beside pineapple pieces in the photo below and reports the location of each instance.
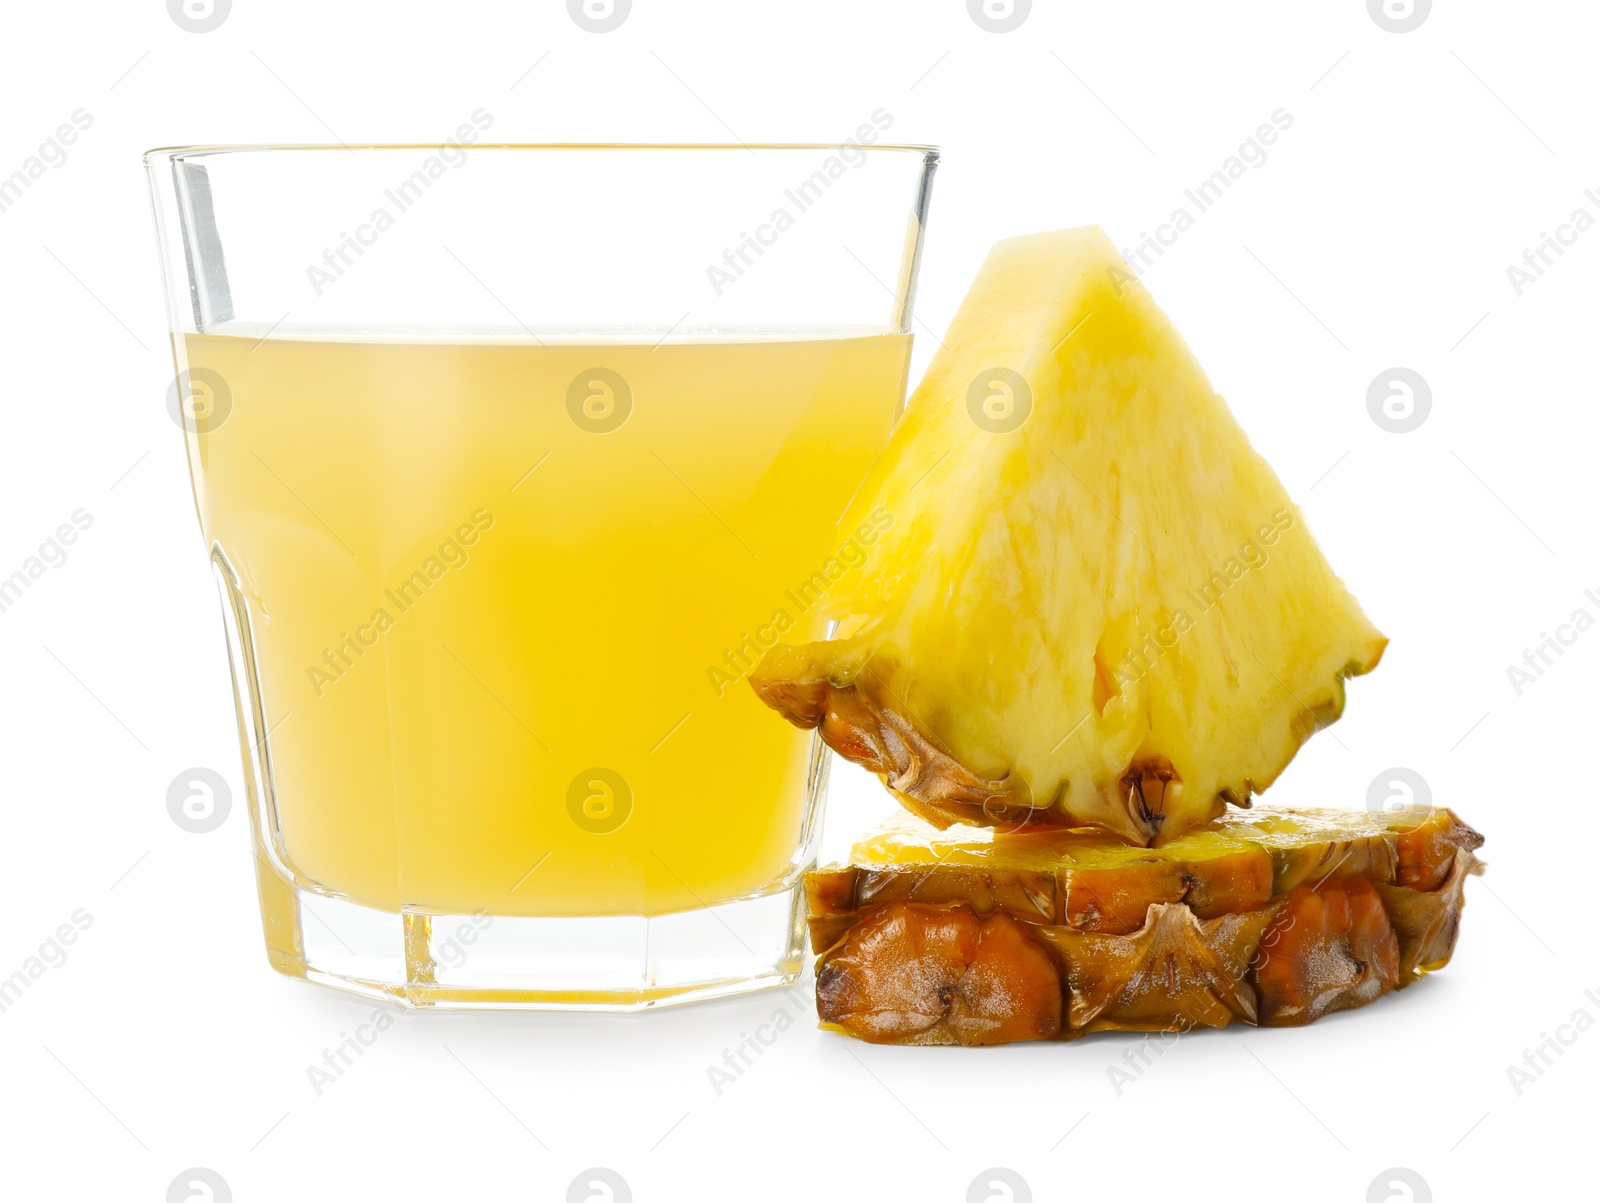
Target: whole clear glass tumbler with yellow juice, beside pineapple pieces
(511, 462)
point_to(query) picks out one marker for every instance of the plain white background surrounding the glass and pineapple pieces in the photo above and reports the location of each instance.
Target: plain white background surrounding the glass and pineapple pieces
(1418, 169)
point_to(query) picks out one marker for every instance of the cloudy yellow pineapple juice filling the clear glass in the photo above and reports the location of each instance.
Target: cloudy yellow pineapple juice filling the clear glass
(500, 639)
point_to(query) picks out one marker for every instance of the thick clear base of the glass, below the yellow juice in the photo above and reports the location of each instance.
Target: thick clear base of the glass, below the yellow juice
(609, 964)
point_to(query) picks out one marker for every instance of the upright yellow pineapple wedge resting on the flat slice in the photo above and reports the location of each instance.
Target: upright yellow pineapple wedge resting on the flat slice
(1094, 602)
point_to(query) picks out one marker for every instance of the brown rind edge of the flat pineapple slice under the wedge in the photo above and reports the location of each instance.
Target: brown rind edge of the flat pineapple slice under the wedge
(964, 956)
